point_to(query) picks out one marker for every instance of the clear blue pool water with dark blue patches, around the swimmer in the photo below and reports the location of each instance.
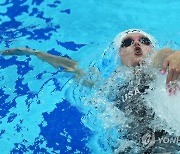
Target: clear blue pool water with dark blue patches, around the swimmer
(40, 111)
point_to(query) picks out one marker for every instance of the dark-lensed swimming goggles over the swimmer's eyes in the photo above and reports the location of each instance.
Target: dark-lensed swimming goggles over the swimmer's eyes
(129, 41)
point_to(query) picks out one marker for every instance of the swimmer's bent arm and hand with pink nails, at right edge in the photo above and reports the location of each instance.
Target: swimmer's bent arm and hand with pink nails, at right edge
(167, 59)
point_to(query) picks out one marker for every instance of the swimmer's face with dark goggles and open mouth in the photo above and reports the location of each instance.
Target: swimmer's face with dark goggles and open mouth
(135, 47)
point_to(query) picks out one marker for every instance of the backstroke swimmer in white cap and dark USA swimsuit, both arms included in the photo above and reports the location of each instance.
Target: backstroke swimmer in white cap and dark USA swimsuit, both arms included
(133, 47)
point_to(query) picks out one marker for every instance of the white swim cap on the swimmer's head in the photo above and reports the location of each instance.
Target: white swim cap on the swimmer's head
(118, 39)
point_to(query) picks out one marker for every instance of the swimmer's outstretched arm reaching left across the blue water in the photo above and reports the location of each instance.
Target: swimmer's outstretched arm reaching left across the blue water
(56, 61)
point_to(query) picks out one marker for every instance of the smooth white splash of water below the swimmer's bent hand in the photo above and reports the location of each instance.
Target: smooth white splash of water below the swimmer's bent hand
(165, 105)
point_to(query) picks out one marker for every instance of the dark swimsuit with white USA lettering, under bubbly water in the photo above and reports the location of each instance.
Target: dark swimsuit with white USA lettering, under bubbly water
(130, 99)
